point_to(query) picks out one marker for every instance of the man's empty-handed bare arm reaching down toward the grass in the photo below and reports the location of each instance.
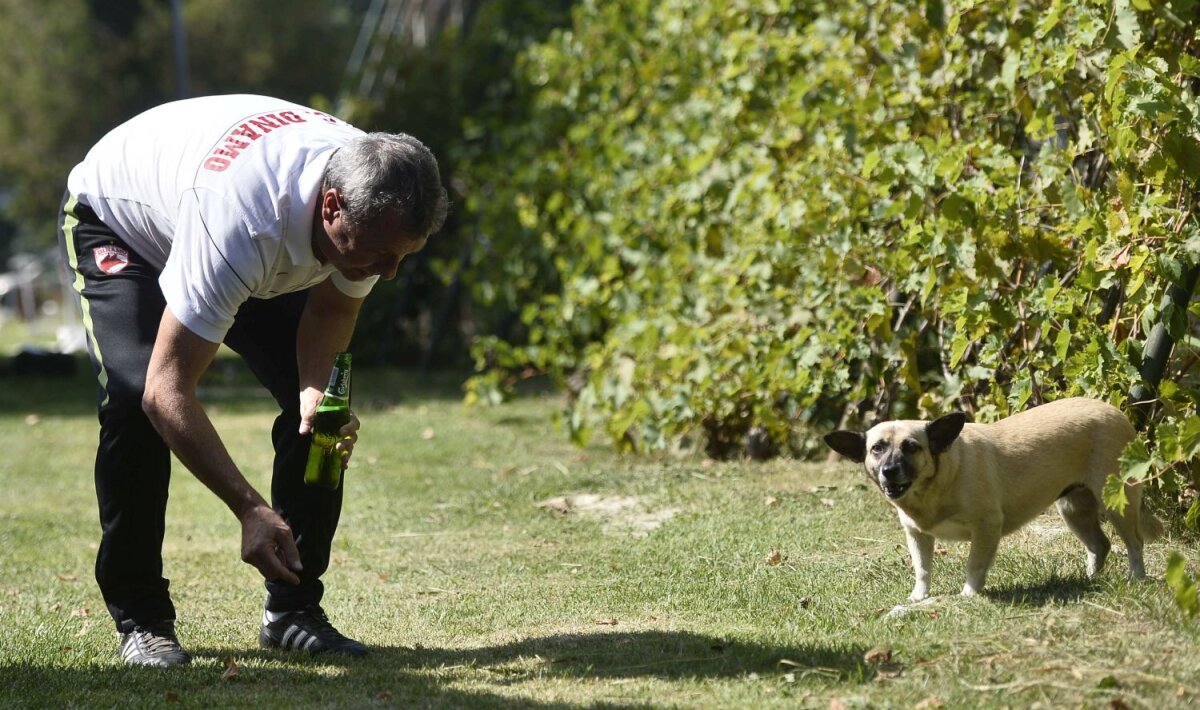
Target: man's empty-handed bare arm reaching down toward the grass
(177, 364)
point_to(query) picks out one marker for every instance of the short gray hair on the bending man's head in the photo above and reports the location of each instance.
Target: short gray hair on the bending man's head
(382, 172)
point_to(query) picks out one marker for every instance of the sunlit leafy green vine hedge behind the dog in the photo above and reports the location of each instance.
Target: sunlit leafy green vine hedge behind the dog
(733, 218)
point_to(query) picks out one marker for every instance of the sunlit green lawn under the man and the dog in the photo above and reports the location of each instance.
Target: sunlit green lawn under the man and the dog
(682, 583)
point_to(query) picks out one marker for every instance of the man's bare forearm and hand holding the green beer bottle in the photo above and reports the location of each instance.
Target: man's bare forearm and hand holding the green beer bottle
(326, 328)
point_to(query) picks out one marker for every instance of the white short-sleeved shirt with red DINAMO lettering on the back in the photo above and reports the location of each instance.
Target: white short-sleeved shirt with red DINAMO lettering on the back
(219, 194)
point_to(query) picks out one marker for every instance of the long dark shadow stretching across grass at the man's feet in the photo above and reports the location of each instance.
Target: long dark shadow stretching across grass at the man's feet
(427, 677)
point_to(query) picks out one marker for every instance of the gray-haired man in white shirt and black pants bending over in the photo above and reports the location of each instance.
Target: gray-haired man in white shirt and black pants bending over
(261, 225)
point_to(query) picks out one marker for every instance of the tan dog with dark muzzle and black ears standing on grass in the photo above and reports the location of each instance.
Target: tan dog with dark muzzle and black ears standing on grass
(955, 480)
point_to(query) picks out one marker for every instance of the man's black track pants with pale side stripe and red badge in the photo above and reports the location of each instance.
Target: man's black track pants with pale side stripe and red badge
(122, 306)
